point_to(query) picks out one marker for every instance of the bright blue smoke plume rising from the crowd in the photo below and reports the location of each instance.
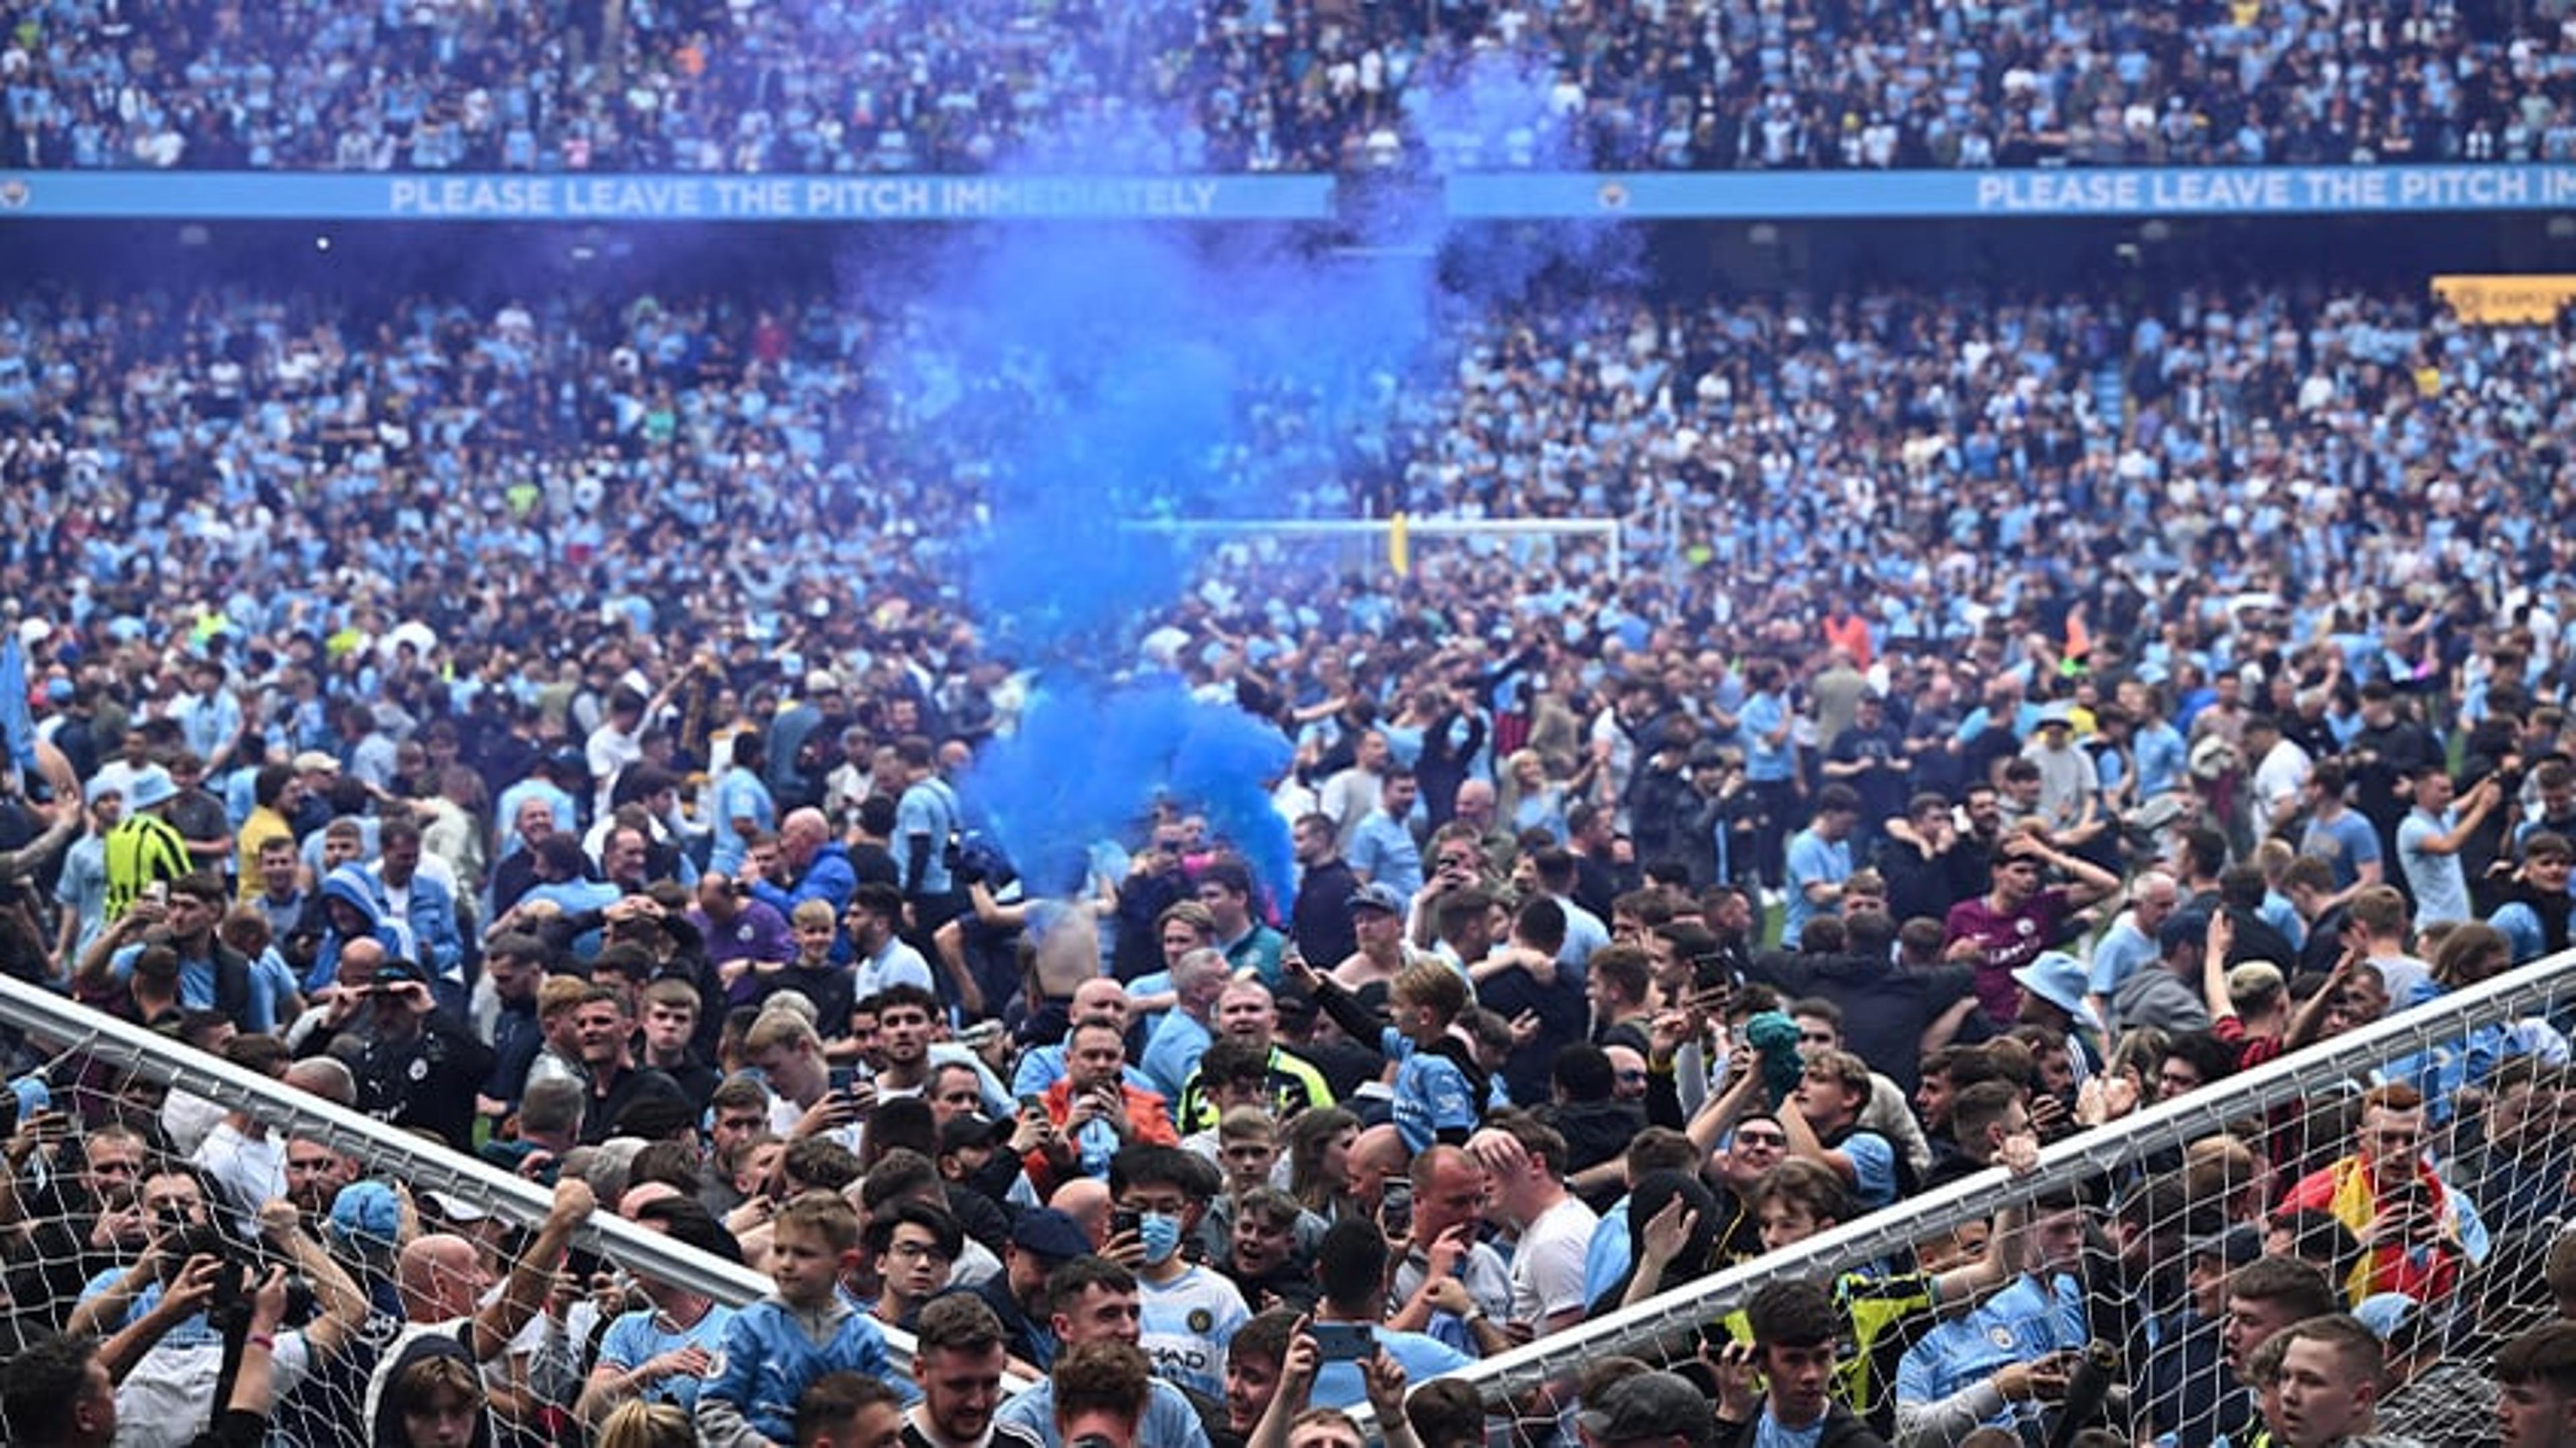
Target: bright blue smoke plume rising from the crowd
(1122, 375)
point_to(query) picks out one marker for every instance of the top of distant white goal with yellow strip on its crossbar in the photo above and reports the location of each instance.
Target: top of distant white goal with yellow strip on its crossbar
(1403, 545)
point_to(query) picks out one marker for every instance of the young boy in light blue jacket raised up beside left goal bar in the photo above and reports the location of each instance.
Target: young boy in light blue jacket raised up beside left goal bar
(797, 1333)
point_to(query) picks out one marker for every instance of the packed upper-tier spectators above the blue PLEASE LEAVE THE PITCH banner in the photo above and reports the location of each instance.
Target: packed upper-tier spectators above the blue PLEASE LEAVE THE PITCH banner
(1279, 86)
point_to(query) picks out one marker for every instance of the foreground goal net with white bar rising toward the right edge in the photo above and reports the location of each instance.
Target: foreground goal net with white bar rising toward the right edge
(2134, 1233)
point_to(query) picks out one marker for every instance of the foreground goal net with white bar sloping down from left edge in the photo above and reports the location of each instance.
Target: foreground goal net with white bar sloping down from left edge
(84, 1210)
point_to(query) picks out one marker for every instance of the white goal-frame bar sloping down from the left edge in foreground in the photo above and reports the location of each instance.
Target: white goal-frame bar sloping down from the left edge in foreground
(63, 1029)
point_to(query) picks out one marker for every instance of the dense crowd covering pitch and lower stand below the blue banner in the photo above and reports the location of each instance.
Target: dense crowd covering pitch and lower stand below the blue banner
(1634, 929)
